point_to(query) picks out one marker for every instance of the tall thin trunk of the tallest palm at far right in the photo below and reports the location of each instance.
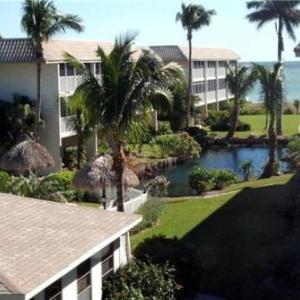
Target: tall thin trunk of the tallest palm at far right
(280, 49)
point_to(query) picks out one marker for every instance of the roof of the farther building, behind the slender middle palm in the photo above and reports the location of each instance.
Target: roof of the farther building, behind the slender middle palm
(182, 53)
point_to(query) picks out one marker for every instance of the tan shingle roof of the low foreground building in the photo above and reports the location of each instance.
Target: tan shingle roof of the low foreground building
(39, 239)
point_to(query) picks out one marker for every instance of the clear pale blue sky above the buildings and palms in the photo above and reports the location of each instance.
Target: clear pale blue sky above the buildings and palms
(155, 22)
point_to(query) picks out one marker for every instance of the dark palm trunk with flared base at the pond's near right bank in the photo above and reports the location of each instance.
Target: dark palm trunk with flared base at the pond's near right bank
(270, 168)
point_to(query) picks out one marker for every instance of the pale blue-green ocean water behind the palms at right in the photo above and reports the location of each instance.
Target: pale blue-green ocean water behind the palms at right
(291, 81)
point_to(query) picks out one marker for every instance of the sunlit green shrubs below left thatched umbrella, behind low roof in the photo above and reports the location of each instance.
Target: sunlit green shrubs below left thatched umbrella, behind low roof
(34, 187)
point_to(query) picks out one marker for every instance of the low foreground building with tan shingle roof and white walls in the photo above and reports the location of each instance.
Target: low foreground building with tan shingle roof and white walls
(59, 251)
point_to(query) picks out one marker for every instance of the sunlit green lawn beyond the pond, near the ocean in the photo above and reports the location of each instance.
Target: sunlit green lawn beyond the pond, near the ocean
(257, 122)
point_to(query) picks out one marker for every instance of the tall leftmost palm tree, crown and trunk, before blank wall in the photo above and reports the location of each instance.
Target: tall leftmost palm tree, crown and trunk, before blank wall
(41, 21)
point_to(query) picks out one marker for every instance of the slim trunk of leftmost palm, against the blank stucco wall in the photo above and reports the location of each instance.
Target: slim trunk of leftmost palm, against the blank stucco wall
(38, 105)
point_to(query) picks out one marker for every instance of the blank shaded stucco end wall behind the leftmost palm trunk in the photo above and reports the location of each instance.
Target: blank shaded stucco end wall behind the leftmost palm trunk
(21, 78)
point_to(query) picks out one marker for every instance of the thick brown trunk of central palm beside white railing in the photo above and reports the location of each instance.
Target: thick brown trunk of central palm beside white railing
(119, 161)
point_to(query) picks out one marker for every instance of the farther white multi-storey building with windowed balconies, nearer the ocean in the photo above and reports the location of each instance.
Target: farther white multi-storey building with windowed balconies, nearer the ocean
(209, 69)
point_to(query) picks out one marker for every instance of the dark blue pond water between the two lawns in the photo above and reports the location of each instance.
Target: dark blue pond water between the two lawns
(228, 158)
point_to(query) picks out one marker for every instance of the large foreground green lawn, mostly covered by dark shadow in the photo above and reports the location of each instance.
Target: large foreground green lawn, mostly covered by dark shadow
(237, 235)
